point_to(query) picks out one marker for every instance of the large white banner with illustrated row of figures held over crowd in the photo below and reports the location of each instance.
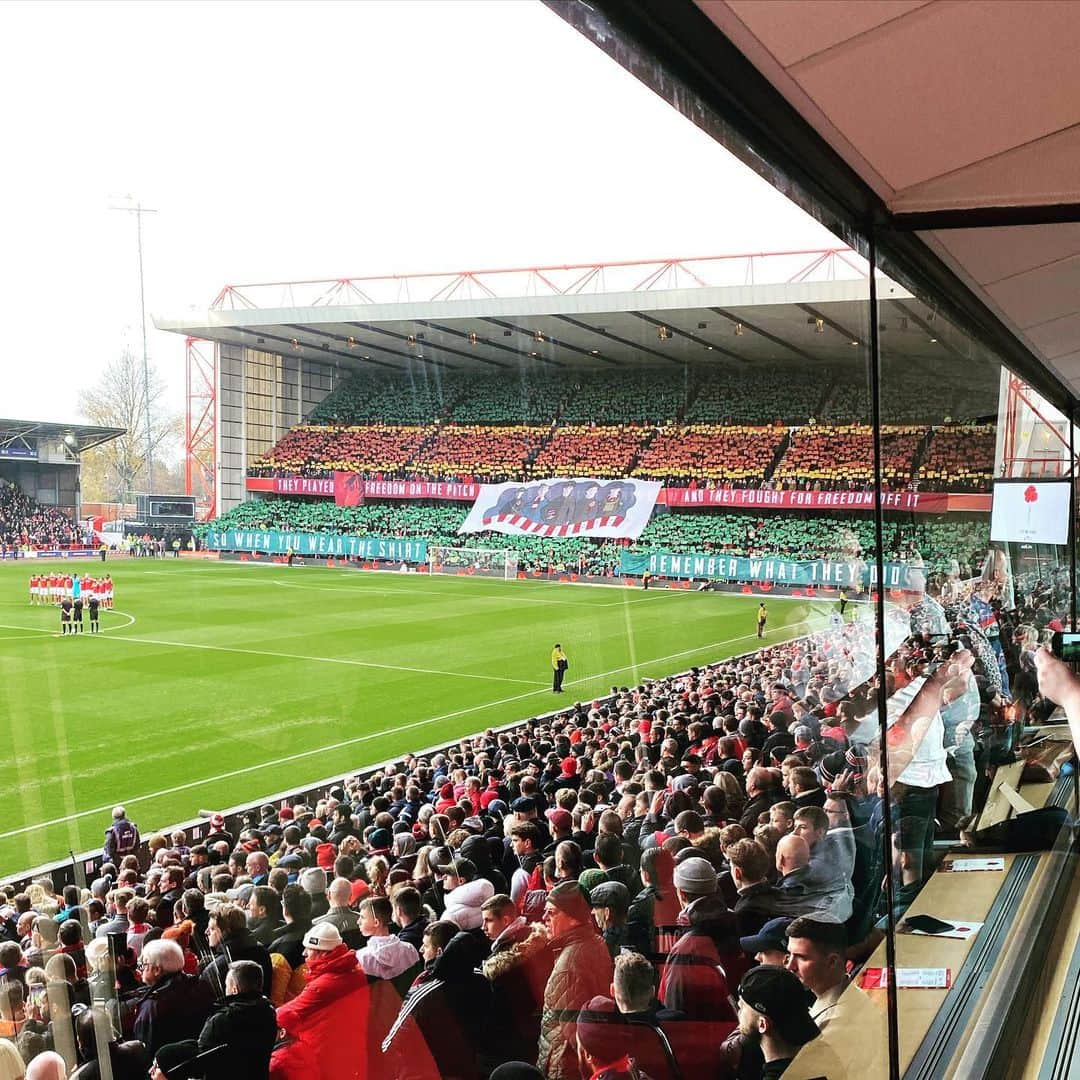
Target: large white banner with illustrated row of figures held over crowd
(564, 507)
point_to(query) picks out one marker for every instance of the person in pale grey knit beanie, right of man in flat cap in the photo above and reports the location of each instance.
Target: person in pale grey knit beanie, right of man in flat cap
(695, 980)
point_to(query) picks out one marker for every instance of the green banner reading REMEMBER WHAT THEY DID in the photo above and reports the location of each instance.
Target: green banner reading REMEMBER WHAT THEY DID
(781, 572)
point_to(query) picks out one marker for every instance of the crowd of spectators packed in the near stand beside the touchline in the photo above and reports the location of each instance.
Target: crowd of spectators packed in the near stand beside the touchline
(687, 871)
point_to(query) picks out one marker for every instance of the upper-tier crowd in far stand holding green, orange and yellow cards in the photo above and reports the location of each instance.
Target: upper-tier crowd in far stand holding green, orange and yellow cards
(626, 424)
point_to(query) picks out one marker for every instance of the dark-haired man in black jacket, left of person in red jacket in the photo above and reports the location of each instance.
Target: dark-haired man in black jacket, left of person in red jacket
(246, 1025)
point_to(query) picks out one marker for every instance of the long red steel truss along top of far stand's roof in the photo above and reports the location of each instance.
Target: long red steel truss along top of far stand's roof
(774, 268)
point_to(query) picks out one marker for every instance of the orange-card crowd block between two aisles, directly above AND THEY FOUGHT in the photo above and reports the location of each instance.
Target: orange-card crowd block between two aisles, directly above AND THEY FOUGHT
(707, 453)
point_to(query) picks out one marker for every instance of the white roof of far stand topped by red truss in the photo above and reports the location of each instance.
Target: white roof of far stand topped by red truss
(794, 308)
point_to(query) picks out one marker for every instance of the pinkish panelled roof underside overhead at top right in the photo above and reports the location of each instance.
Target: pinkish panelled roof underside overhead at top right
(978, 159)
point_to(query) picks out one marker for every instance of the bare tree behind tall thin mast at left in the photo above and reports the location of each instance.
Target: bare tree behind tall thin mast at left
(115, 471)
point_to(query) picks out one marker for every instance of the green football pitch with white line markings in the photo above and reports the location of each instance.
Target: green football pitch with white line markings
(215, 684)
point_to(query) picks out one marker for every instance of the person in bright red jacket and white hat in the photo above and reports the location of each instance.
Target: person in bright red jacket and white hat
(330, 1016)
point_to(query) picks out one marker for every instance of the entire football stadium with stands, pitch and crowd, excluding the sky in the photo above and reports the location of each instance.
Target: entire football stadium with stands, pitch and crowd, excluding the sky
(647, 670)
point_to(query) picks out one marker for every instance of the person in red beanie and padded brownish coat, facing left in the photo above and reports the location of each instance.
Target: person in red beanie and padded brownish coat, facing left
(583, 971)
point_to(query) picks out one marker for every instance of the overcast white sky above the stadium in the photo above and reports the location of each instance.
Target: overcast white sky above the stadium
(287, 141)
